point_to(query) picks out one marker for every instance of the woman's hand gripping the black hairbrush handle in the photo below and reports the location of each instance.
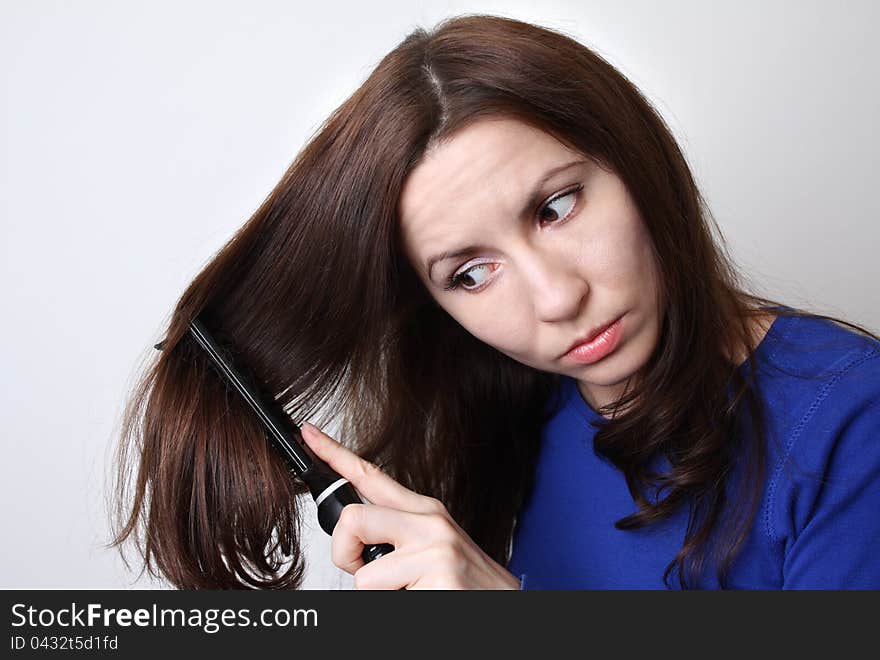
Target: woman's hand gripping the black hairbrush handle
(430, 550)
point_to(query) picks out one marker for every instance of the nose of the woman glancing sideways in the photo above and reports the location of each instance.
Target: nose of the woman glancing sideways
(558, 290)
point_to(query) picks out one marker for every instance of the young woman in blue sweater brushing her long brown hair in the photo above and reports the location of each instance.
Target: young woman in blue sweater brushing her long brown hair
(493, 266)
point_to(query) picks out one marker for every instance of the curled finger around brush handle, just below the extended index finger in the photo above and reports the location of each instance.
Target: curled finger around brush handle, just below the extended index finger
(369, 524)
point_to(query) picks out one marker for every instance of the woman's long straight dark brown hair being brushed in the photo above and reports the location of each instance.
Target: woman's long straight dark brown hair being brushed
(316, 295)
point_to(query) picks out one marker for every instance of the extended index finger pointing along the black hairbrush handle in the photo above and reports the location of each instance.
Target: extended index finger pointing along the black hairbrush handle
(366, 477)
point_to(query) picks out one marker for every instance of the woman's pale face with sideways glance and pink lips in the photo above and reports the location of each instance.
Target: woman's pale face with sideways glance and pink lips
(543, 246)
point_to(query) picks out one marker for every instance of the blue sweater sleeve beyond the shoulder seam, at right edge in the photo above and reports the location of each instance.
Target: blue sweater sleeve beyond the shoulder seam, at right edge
(837, 539)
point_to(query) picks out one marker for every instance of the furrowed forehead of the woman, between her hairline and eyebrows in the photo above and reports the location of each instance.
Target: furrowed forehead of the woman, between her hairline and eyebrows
(465, 184)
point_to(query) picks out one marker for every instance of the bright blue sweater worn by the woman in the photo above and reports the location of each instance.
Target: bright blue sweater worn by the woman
(818, 523)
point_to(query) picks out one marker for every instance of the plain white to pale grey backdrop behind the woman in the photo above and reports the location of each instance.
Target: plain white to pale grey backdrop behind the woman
(138, 136)
